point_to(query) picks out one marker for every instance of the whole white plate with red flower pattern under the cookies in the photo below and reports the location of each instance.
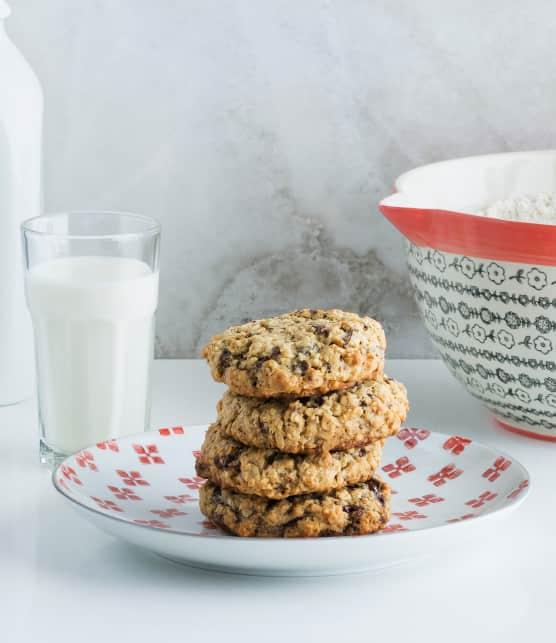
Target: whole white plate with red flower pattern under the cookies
(143, 489)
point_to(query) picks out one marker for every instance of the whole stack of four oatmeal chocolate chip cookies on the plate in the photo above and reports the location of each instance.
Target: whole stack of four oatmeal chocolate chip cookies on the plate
(299, 433)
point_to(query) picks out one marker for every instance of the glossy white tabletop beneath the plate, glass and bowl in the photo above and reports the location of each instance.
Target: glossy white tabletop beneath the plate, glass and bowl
(63, 580)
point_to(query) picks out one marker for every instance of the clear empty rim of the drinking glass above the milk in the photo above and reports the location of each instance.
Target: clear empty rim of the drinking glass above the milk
(152, 226)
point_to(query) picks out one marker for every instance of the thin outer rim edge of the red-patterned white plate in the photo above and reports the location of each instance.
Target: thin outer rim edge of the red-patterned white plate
(513, 504)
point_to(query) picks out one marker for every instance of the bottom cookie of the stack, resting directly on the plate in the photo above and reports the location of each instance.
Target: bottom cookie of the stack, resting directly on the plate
(359, 509)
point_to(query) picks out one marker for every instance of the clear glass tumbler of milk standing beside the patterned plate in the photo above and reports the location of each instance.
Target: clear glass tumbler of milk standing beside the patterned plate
(91, 284)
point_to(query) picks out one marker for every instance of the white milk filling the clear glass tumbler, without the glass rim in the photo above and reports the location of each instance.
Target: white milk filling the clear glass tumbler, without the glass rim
(93, 319)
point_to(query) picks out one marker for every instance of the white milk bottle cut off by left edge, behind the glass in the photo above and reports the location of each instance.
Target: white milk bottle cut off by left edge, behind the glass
(20, 171)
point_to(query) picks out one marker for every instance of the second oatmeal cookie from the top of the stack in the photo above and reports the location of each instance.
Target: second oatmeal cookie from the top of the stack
(339, 420)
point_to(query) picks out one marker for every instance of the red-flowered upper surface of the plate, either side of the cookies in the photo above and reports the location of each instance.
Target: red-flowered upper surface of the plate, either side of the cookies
(144, 492)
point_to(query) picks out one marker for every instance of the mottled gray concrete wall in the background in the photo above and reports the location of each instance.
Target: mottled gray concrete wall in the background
(263, 133)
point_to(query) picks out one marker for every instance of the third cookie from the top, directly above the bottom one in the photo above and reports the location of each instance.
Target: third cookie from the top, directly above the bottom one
(270, 473)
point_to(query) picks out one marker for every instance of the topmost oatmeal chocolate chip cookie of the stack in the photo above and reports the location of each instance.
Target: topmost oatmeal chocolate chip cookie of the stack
(298, 354)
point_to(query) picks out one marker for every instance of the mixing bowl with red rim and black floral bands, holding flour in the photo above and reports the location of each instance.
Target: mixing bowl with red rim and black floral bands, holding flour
(486, 288)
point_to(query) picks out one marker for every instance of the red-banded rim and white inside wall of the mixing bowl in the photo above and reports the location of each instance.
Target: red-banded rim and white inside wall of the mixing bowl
(435, 206)
